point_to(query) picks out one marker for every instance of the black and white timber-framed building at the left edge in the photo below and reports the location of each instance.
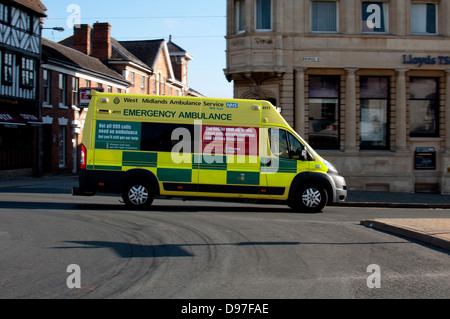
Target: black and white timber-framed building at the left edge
(20, 55)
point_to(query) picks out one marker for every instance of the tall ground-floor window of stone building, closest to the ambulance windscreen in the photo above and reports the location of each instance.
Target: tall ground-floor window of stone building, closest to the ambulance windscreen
(324, 112)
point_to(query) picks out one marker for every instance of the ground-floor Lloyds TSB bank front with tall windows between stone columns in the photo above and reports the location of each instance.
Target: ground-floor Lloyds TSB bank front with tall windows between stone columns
(382, 121)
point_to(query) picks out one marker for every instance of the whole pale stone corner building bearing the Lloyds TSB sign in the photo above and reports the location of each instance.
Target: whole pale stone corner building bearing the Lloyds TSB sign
(366, 83)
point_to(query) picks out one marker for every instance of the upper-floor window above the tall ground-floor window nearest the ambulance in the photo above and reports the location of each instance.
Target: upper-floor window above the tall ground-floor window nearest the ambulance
(324, 16)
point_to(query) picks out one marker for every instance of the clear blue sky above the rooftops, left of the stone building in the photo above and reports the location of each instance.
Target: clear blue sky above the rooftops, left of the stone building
(197, 26)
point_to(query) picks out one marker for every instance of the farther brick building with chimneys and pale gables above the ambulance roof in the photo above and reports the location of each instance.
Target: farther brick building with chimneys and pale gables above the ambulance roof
(153, 67)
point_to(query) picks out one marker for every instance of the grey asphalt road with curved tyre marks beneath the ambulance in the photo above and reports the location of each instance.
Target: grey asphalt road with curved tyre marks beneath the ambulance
(195, 249)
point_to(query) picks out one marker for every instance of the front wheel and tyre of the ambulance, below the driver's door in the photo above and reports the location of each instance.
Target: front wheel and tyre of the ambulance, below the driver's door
(309, 199)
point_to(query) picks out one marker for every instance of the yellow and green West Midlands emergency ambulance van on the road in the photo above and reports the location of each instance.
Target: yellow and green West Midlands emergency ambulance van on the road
(142, 147)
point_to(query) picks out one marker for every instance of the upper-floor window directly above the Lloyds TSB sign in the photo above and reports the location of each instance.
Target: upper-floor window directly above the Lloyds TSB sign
(424, 18)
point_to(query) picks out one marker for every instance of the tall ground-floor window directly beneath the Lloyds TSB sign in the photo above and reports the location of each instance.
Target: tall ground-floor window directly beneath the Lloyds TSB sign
(424, 107)
